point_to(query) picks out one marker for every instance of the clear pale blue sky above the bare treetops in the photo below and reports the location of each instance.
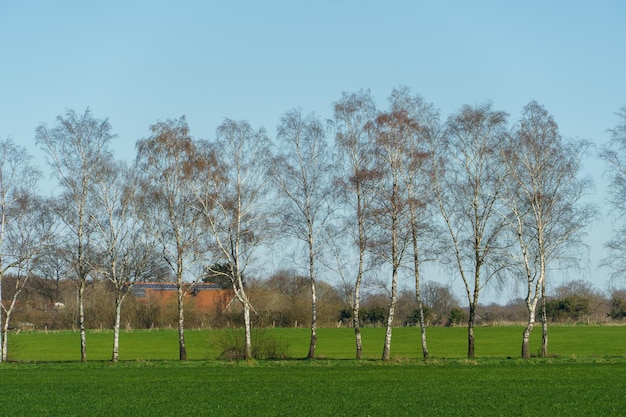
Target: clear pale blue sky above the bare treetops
(136, 62)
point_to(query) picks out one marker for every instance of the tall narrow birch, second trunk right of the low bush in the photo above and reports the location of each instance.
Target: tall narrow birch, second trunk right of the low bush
(353, 114)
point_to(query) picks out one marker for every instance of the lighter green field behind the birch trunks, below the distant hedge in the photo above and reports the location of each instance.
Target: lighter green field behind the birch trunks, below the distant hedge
(443, 342)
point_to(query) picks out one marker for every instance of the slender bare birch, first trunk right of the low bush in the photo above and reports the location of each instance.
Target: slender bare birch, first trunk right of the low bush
(302, 174)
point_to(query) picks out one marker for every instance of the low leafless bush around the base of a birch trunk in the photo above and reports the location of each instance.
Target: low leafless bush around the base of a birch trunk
(231, 345)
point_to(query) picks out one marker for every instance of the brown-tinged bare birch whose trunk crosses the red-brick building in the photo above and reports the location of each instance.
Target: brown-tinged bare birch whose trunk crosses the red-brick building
(167, 163)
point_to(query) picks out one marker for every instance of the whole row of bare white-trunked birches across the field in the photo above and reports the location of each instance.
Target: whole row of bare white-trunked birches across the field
(368, 195)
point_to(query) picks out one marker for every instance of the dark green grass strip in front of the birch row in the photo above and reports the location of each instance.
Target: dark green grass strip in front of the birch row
(316, 388)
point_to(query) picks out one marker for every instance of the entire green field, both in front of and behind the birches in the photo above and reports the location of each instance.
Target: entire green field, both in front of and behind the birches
(584, 377)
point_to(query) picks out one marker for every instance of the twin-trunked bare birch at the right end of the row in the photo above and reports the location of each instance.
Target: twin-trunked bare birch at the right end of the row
(544, 194)
